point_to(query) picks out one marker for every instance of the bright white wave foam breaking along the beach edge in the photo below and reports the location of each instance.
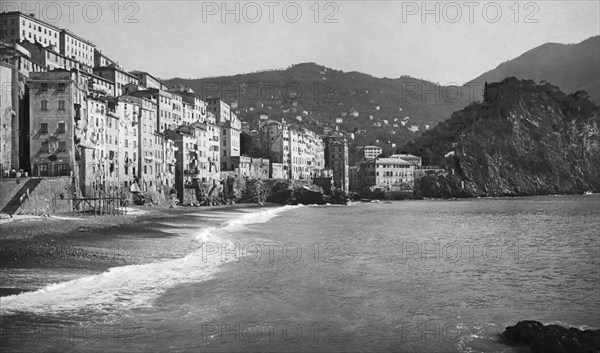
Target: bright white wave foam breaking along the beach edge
(133, 285)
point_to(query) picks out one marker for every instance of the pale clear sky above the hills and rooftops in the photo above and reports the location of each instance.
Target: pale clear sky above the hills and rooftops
(441, 41)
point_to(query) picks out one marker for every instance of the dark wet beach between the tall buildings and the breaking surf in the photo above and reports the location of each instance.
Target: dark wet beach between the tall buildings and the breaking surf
(92, 244)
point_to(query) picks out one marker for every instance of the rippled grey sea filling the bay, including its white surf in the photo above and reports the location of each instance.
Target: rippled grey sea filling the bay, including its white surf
(401, 276)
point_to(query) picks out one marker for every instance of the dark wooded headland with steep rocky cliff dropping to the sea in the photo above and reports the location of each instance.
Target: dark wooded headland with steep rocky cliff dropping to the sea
(523, 139)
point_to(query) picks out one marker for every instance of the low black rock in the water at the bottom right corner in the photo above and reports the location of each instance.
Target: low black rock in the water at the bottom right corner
(552, 338)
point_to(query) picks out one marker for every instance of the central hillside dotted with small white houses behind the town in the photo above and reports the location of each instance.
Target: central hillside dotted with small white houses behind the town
(378, 110)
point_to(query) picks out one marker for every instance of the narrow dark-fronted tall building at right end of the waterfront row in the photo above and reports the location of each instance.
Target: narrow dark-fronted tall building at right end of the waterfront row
(336, 158)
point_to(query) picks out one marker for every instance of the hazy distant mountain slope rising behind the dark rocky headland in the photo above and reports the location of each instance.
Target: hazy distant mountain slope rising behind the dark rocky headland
(571, 67)
